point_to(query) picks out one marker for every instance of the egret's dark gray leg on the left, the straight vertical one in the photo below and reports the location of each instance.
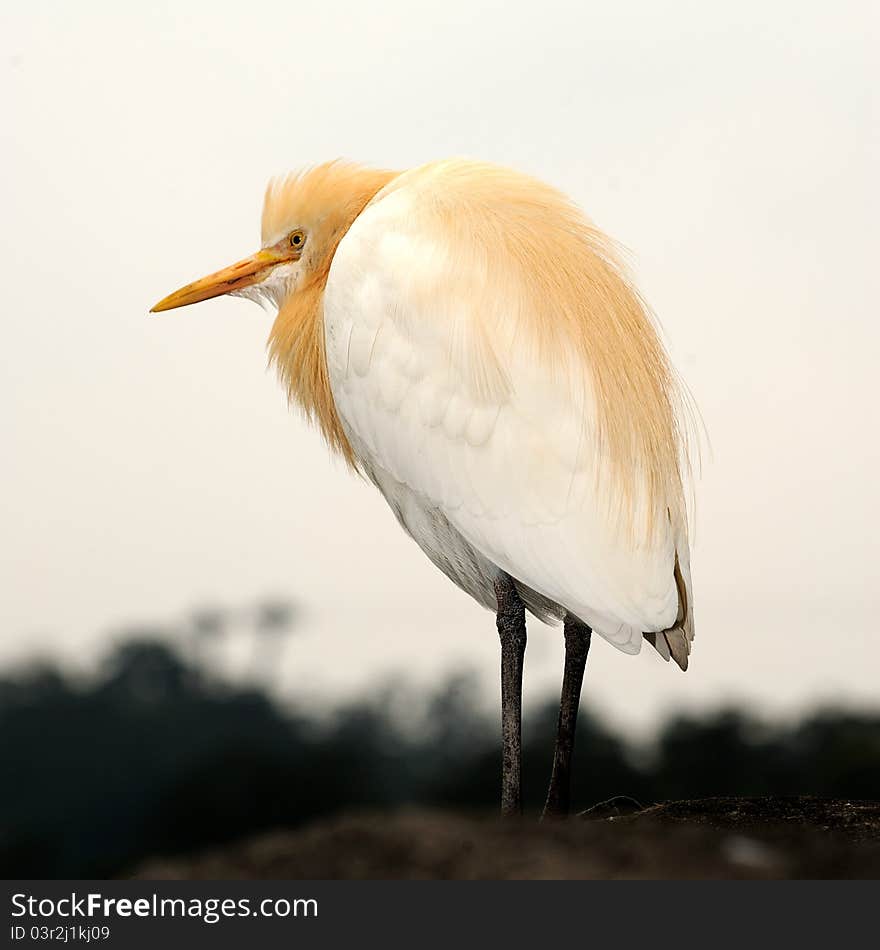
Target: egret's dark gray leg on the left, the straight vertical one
(511, 620)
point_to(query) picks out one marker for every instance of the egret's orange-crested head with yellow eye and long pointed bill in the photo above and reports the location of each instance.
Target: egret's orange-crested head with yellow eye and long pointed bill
(305, 216)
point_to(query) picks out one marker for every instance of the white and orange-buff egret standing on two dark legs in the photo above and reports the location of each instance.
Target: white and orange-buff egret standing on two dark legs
(470, 342)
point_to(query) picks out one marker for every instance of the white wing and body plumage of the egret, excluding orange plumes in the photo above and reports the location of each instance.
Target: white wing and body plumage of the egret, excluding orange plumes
(499, 474)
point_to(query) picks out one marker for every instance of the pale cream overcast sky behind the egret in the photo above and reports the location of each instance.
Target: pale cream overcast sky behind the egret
(150, 464)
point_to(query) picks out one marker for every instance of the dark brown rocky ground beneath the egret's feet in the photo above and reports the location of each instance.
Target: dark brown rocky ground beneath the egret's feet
(707, 838)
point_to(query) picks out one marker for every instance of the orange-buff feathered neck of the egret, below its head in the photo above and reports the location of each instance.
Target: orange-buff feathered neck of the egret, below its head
(296, 341)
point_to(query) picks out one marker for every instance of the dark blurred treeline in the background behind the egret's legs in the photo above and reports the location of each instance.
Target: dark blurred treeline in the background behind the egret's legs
(155, 755)
